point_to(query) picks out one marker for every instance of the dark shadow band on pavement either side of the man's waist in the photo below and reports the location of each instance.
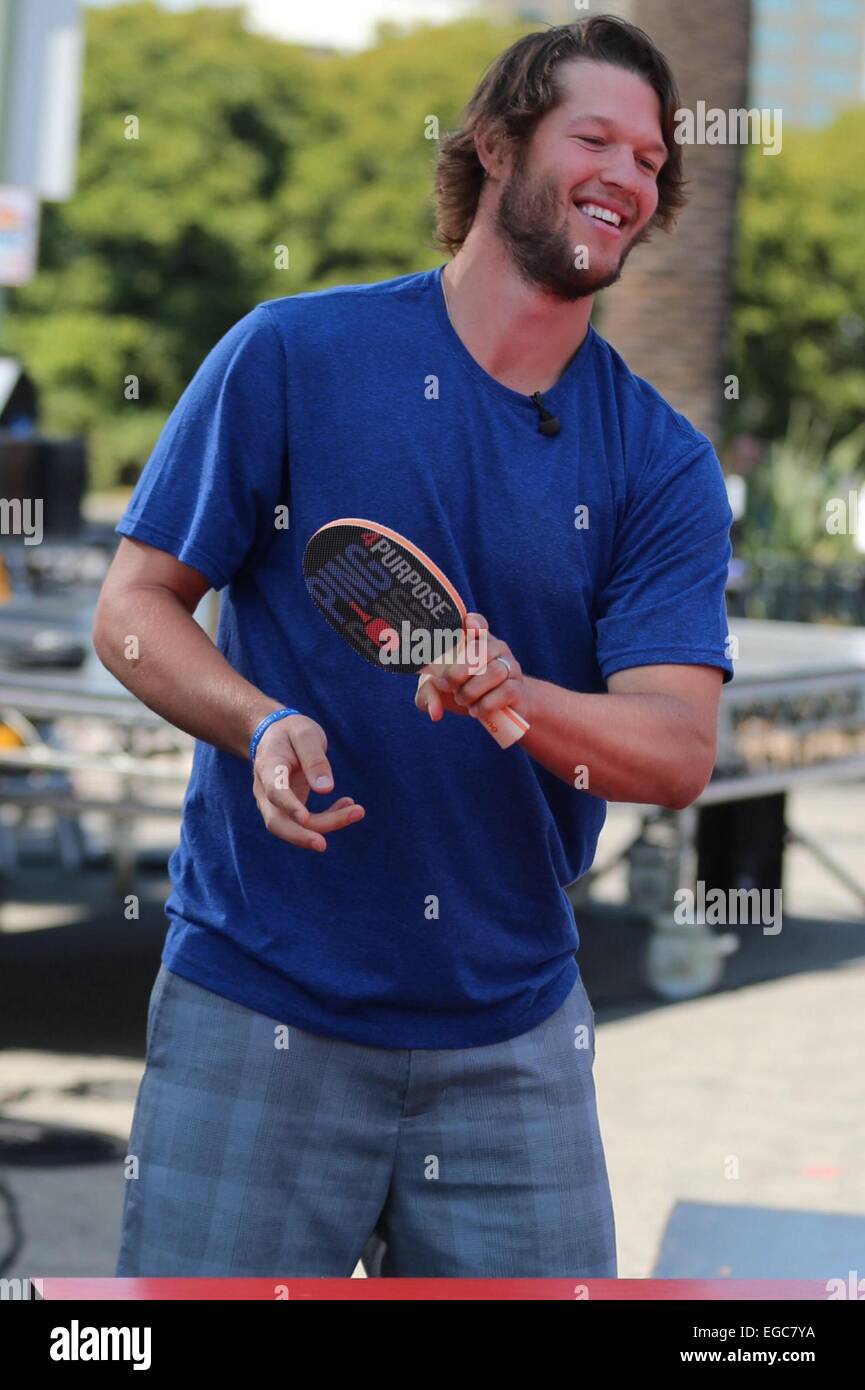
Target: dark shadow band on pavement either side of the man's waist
(84, 986)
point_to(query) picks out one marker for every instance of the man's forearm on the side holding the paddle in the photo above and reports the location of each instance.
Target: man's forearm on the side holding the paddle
(635, 749)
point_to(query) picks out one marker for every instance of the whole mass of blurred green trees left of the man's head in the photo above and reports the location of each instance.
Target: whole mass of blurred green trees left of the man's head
(245, 145)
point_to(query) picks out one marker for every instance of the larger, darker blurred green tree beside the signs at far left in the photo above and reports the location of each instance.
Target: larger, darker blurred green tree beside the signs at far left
(170, 236)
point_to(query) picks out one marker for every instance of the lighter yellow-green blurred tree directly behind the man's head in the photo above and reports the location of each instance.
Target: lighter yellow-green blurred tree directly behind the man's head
(358, 206)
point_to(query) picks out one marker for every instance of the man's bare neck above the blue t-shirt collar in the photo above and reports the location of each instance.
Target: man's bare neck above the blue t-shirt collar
(518, 334)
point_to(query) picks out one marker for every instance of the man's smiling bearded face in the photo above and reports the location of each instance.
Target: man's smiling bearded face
(601, 149)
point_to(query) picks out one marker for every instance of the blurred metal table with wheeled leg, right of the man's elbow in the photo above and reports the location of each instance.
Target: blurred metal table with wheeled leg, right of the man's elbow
(795, 715)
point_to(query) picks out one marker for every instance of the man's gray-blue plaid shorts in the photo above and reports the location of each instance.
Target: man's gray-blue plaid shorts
(265, 1150)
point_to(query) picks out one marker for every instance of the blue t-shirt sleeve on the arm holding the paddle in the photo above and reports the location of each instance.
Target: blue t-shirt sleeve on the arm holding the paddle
(664, 603)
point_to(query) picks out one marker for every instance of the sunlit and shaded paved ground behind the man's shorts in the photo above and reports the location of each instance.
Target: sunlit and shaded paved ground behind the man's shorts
(752, 1097)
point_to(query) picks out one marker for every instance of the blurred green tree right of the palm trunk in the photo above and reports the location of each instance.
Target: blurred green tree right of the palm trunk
(800, 286)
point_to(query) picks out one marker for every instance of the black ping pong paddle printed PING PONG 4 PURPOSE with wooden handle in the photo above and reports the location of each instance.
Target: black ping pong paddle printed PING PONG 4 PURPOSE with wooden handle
(391, 604)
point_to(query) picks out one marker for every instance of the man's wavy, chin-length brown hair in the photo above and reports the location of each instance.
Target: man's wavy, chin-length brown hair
(521, 87)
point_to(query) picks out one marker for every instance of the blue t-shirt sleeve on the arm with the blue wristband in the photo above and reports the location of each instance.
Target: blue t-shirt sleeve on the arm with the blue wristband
(211, 489)
